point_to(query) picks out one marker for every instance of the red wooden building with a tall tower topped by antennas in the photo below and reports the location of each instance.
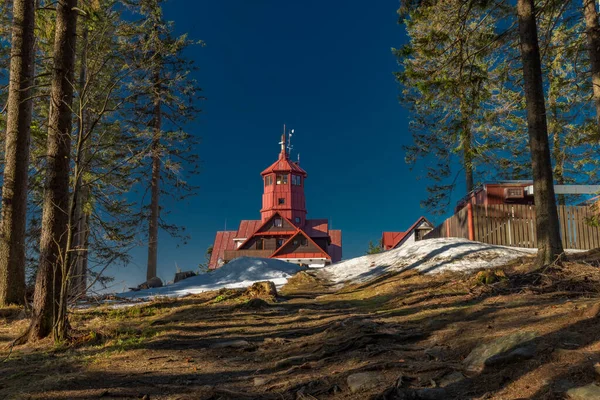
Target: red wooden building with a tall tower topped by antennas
(283, 231)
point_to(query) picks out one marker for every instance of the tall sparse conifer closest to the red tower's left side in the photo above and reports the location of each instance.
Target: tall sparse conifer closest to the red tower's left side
(165, 98)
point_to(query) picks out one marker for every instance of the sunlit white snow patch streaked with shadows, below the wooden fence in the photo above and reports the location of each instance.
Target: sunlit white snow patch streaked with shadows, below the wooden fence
(427, 256)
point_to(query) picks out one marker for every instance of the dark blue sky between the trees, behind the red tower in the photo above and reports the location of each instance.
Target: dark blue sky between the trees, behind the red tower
(324, 68)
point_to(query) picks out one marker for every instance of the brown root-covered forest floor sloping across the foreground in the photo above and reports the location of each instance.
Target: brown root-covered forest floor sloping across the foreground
(523, 335)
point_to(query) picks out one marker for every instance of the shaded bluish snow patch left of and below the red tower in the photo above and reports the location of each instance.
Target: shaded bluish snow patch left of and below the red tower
(239, 273)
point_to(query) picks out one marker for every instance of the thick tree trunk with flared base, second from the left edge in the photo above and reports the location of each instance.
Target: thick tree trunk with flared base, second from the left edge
(47, 315)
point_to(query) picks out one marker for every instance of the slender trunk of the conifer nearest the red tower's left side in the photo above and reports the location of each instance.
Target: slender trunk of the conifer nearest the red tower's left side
(154, 205)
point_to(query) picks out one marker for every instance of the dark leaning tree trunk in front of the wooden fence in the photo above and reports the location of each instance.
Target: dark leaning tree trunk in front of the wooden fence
(547, 228)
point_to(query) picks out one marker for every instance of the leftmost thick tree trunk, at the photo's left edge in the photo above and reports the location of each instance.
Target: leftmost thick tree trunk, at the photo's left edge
(14, 190)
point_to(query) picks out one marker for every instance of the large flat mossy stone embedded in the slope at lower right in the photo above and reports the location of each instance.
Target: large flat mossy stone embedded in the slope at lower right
(505, 349)
